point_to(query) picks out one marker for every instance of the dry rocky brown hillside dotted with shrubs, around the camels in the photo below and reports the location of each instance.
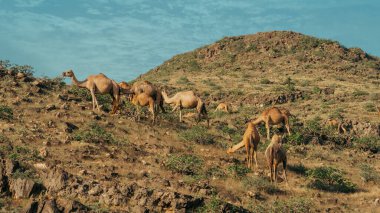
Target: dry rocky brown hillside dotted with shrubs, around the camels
(57, 155)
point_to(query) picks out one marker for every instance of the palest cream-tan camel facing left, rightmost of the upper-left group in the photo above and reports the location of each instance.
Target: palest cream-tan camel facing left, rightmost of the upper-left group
(187, 100)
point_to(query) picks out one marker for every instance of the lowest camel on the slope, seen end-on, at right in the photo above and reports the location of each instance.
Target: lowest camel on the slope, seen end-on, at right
(276, 154)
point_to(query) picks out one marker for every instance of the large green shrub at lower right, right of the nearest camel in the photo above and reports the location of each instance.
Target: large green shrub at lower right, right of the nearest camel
(329, 179)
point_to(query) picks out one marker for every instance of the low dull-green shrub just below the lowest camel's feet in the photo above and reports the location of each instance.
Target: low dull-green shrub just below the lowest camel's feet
(261, 184)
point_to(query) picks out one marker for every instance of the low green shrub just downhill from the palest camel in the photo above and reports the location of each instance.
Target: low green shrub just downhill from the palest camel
(198, 134)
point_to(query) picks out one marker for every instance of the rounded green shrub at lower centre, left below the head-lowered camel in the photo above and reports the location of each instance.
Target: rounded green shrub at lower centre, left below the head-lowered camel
(185, 164)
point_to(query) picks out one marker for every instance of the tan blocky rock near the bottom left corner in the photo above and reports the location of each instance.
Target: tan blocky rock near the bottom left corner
(22, 188)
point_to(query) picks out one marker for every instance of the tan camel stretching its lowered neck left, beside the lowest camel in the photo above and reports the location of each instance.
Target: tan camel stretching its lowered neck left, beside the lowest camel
(251, 139)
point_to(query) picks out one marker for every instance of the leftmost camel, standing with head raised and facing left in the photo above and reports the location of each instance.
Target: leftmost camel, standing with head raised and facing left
(97, 84)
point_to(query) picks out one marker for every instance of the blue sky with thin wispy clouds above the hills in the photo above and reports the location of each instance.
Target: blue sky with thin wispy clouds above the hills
(125, 38)
